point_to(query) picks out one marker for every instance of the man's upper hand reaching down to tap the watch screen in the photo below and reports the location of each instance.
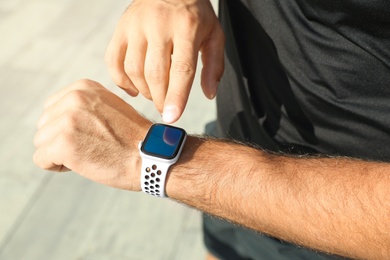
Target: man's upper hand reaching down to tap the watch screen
(154, 50)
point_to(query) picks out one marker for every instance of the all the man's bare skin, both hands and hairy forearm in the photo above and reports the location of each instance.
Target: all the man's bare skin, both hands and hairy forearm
(336, 205)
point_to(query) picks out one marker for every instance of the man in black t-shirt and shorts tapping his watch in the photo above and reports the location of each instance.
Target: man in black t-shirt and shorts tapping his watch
(305, 80)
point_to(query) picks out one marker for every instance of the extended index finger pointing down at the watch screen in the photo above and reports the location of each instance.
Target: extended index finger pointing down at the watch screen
(181, 77)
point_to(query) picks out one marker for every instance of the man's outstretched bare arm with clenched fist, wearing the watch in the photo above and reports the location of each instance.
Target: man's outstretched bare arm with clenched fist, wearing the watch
(337, 205)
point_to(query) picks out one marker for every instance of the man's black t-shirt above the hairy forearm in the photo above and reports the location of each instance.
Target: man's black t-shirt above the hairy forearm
(306, 76)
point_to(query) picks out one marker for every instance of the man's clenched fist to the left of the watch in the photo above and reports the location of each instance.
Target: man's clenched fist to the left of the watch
(88, 129)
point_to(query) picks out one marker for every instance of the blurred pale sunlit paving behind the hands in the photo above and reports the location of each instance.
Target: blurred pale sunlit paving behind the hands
(44, 46)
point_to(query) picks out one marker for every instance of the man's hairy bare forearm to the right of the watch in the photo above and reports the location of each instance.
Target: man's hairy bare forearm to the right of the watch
(335, 205)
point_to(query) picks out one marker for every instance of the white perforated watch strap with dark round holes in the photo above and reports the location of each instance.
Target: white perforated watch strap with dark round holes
(153, 176)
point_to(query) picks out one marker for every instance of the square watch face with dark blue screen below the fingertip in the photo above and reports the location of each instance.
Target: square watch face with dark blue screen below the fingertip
(163, 141)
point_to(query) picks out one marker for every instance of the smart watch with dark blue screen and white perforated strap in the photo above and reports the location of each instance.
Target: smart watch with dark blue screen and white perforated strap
(160, 149)
